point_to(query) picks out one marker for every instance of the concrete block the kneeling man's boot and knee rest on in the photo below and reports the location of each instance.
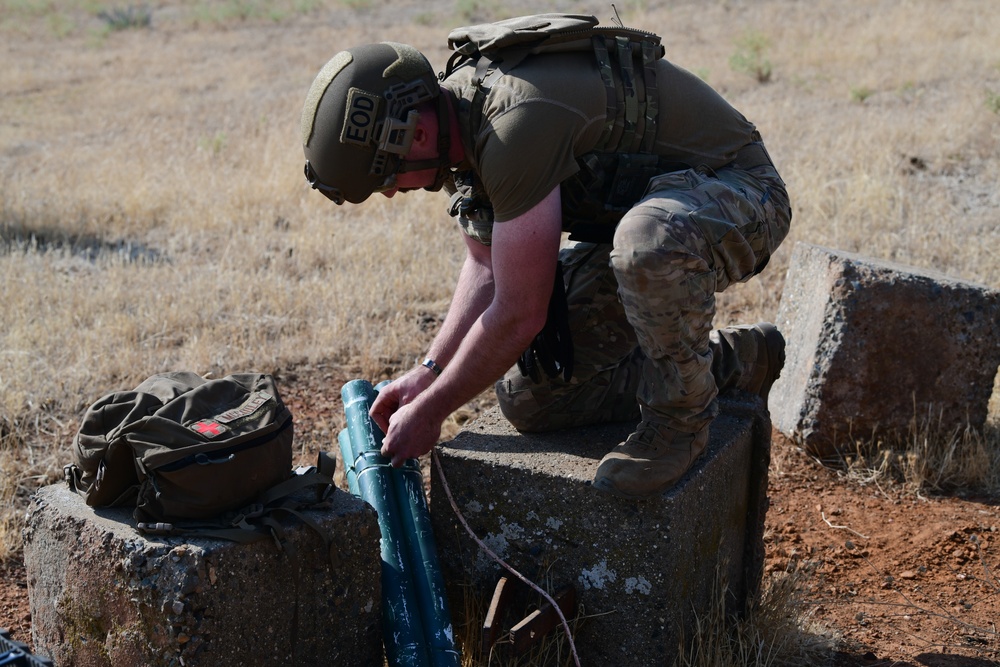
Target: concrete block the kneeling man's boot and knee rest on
(640, 567)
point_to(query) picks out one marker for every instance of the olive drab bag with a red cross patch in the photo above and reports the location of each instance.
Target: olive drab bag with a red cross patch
(179, 446)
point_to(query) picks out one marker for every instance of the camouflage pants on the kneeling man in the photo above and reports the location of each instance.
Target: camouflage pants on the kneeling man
(641, 309)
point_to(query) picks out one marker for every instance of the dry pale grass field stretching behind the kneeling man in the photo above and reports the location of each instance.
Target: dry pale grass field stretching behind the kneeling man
(154, 217)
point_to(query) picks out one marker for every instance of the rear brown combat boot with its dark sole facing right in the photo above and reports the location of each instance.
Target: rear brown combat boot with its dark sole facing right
(749, 357)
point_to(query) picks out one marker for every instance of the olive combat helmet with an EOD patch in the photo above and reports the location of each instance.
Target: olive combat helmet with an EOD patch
(359, 119)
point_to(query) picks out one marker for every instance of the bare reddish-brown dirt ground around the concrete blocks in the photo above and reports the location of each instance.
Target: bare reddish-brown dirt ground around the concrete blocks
(899, 579)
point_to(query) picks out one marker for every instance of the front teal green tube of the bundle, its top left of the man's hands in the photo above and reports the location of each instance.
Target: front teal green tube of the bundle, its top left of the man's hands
(402, 629)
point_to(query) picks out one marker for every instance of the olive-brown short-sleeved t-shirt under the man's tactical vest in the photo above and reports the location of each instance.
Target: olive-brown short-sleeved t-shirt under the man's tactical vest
(551, 109)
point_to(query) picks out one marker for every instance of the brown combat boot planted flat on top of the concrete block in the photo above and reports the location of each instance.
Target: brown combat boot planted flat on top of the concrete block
(650, 461)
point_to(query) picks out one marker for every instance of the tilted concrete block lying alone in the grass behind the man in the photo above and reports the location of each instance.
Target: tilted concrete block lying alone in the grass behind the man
(872, 345)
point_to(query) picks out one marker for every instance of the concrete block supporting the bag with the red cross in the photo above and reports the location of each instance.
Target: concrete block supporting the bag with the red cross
(102, 594)
